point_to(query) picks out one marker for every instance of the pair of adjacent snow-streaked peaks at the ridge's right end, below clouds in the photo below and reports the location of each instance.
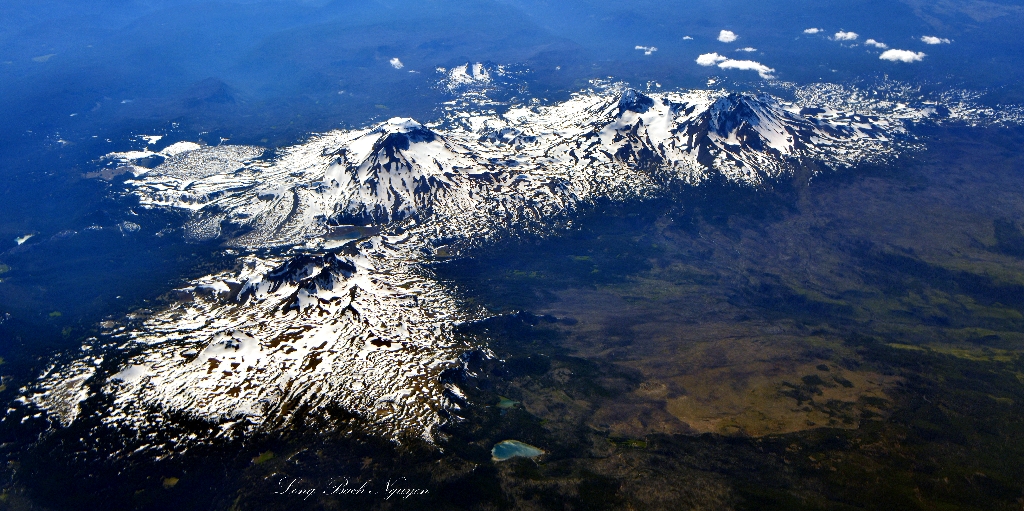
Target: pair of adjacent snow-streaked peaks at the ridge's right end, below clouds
(743, 138)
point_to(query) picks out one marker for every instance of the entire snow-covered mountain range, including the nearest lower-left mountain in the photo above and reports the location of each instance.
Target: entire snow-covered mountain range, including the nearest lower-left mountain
(345, 313)
